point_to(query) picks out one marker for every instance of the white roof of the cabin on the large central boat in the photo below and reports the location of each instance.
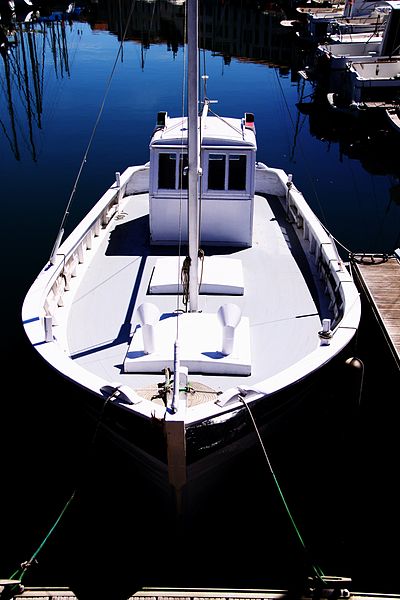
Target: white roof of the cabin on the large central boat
(216, 131)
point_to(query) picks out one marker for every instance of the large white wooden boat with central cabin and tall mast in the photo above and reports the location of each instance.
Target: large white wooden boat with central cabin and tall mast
(173, 346)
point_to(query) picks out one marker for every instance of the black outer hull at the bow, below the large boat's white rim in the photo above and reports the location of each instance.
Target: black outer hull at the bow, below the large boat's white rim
(216, 447)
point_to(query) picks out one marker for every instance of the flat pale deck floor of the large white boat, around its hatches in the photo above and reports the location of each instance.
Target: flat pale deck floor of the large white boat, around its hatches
(282, 315)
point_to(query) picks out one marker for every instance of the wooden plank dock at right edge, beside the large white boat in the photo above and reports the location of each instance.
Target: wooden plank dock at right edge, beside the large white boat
(378, 278)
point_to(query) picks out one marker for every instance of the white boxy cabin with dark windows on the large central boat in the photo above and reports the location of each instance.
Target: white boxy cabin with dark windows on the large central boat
(227, 182)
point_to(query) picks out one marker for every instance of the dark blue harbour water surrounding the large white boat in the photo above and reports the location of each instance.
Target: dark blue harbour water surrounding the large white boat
(337, 463)
